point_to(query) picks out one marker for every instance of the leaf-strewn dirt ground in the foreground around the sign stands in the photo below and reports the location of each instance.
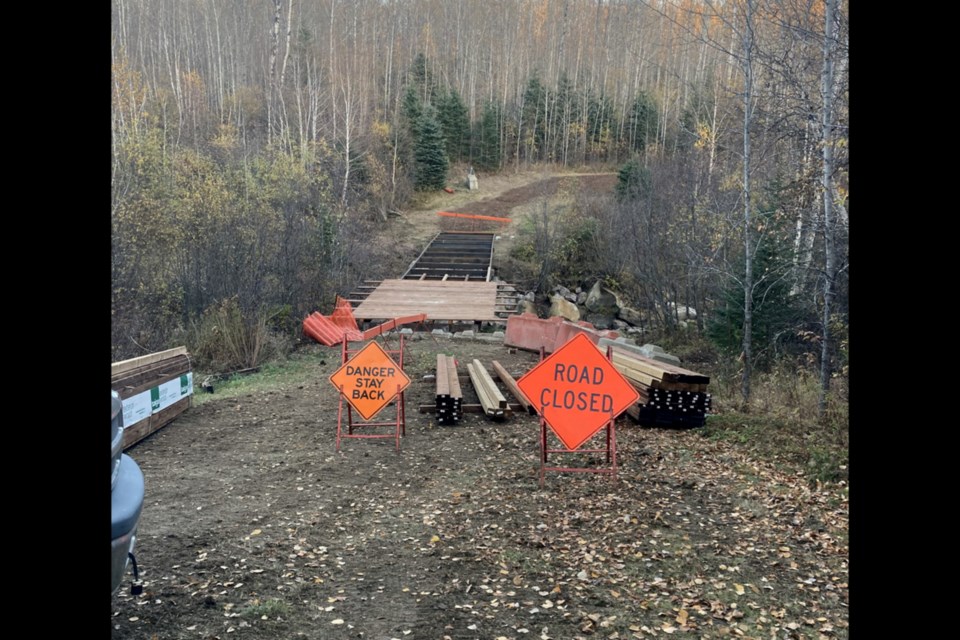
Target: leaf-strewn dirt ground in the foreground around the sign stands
(254, 526)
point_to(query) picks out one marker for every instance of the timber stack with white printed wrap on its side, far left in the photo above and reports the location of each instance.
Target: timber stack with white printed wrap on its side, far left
(154, 389)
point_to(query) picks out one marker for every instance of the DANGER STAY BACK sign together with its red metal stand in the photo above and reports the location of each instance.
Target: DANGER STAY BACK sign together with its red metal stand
(368, 381)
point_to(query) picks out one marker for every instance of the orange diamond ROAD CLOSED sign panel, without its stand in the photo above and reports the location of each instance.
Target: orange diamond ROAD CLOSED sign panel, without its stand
(577, 390)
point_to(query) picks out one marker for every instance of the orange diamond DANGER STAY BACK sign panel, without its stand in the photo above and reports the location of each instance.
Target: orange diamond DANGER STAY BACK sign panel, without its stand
(370, 380)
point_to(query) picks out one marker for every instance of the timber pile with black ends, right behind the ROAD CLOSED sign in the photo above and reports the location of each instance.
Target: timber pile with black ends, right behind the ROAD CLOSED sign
(670, 396)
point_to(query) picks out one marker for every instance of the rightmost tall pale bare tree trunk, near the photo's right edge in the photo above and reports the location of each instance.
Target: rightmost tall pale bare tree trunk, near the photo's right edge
(828, 222)
